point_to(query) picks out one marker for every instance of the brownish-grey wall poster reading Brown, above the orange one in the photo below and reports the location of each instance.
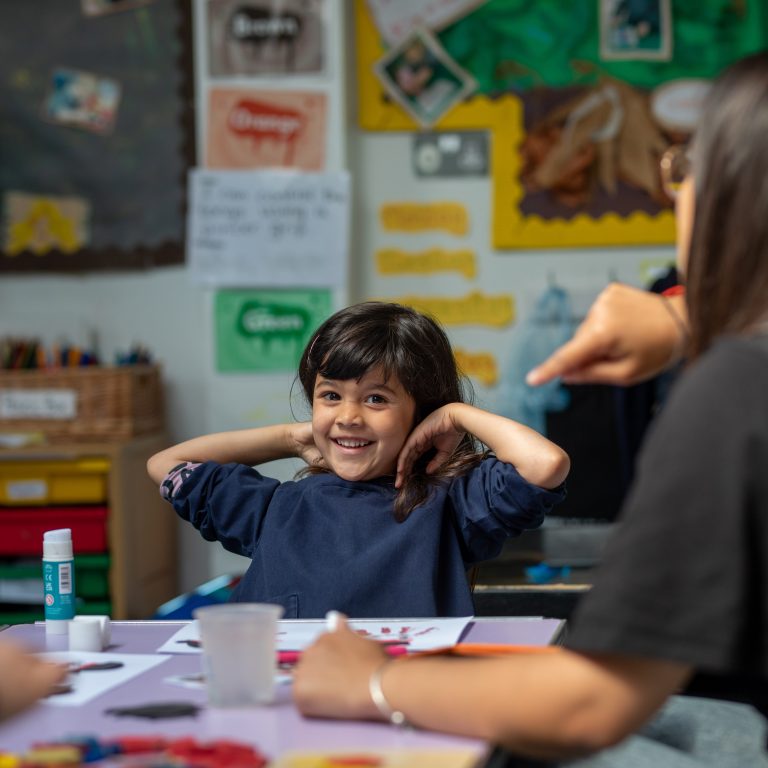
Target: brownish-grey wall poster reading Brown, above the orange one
(265, 37)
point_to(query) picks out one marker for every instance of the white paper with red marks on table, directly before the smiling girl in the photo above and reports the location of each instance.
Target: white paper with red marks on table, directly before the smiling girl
(296, 635)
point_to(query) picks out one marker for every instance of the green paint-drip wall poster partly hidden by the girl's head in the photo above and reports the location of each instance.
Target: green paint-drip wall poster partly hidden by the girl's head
(266, 331)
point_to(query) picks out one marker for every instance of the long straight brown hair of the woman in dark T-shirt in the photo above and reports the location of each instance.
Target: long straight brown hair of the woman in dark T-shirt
(727, 274)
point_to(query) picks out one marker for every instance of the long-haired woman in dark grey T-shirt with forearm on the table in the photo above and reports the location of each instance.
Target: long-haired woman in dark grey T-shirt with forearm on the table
(681, 598)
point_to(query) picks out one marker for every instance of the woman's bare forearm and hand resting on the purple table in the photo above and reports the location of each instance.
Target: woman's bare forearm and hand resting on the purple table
(549, 705)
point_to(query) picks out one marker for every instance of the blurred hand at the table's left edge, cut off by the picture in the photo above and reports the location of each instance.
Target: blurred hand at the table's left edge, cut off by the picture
(24, 679)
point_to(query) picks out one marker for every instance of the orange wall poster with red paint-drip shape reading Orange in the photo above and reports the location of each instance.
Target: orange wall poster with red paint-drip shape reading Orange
(261, 129)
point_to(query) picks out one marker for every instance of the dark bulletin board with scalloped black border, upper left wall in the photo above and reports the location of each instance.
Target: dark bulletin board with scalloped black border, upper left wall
(96, 133)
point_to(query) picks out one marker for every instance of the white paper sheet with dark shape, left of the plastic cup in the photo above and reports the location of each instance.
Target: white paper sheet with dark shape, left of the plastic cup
(88, 685)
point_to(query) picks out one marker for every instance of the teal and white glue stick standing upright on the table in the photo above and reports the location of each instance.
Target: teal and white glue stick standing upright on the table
(58, 580)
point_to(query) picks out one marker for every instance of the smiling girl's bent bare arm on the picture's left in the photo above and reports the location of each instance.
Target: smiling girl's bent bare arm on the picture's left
(243, 446)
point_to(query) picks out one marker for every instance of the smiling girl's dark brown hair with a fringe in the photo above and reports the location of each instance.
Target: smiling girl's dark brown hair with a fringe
(409, 346)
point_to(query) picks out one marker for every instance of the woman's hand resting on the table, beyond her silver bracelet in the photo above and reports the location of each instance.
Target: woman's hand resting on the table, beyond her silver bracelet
(331, 678)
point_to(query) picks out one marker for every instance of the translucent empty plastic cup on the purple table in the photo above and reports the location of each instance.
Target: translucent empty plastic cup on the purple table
(239, 652)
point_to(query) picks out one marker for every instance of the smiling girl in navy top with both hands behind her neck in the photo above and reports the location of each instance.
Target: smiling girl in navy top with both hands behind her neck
(397, 500)
